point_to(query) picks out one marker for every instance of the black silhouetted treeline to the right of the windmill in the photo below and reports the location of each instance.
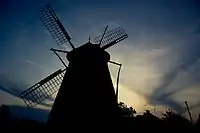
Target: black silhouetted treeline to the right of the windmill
(147, 122)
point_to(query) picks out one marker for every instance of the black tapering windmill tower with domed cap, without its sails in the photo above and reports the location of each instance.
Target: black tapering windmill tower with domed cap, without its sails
(86, 94)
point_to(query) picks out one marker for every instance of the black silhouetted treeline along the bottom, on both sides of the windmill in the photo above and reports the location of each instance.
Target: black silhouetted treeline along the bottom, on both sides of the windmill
(147, 122)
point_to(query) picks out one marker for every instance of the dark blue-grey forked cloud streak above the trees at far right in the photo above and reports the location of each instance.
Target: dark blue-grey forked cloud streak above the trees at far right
(161, 95)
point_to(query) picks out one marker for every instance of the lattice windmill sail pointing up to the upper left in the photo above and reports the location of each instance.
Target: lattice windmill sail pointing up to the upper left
(54, 26)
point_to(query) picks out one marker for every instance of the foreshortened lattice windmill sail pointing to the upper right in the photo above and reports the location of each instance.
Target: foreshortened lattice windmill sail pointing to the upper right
(111, 37)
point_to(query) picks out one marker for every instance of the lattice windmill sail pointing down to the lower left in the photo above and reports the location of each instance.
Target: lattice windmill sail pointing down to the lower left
(43, 89)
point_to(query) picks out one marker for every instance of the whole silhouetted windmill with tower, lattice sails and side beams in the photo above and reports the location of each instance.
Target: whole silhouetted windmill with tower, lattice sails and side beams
(84, 87)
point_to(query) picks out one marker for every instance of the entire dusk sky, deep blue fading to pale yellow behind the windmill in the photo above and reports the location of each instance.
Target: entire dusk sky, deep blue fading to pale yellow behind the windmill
(161, 56)
